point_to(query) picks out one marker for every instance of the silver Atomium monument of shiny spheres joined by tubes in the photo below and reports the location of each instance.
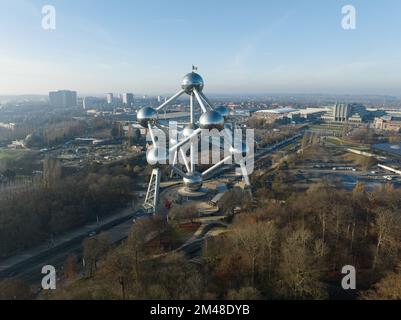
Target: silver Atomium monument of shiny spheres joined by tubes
(158, 156)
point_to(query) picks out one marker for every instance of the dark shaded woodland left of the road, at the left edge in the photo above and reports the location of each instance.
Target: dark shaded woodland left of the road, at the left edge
(34, 216)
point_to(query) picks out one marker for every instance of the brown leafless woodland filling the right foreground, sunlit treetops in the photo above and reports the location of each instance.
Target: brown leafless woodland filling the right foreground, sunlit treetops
(293, 249)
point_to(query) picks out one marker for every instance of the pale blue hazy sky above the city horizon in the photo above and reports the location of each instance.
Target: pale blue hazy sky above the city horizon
(254, 46)
